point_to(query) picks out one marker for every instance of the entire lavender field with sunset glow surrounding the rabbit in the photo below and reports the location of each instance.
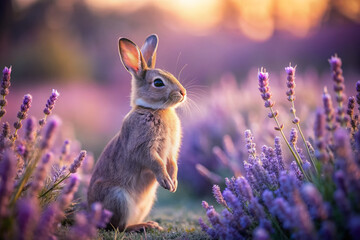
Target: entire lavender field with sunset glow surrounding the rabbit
(271, 129)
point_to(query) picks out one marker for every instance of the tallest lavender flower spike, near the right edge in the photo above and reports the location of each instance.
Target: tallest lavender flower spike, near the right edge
(339, 88)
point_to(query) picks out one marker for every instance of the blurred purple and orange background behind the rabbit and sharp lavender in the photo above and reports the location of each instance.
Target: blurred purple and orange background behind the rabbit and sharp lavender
(214, 46)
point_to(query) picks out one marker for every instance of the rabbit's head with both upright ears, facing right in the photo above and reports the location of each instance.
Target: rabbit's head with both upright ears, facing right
(151, 87)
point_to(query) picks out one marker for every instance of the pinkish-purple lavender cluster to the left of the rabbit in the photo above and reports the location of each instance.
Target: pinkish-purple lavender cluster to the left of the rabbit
(36, 188)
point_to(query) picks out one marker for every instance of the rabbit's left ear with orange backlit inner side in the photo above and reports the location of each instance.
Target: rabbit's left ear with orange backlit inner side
(131, 56)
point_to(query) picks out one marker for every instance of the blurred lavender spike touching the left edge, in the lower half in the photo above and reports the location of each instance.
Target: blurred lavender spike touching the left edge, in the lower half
(7, 174)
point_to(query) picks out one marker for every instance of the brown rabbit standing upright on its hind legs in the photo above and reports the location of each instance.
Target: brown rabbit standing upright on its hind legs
(145, 151)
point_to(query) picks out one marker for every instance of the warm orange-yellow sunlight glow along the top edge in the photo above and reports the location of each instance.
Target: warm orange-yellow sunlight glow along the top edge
(256, 19)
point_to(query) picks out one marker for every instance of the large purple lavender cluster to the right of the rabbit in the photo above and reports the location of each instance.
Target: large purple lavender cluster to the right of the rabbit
(275, 200)
